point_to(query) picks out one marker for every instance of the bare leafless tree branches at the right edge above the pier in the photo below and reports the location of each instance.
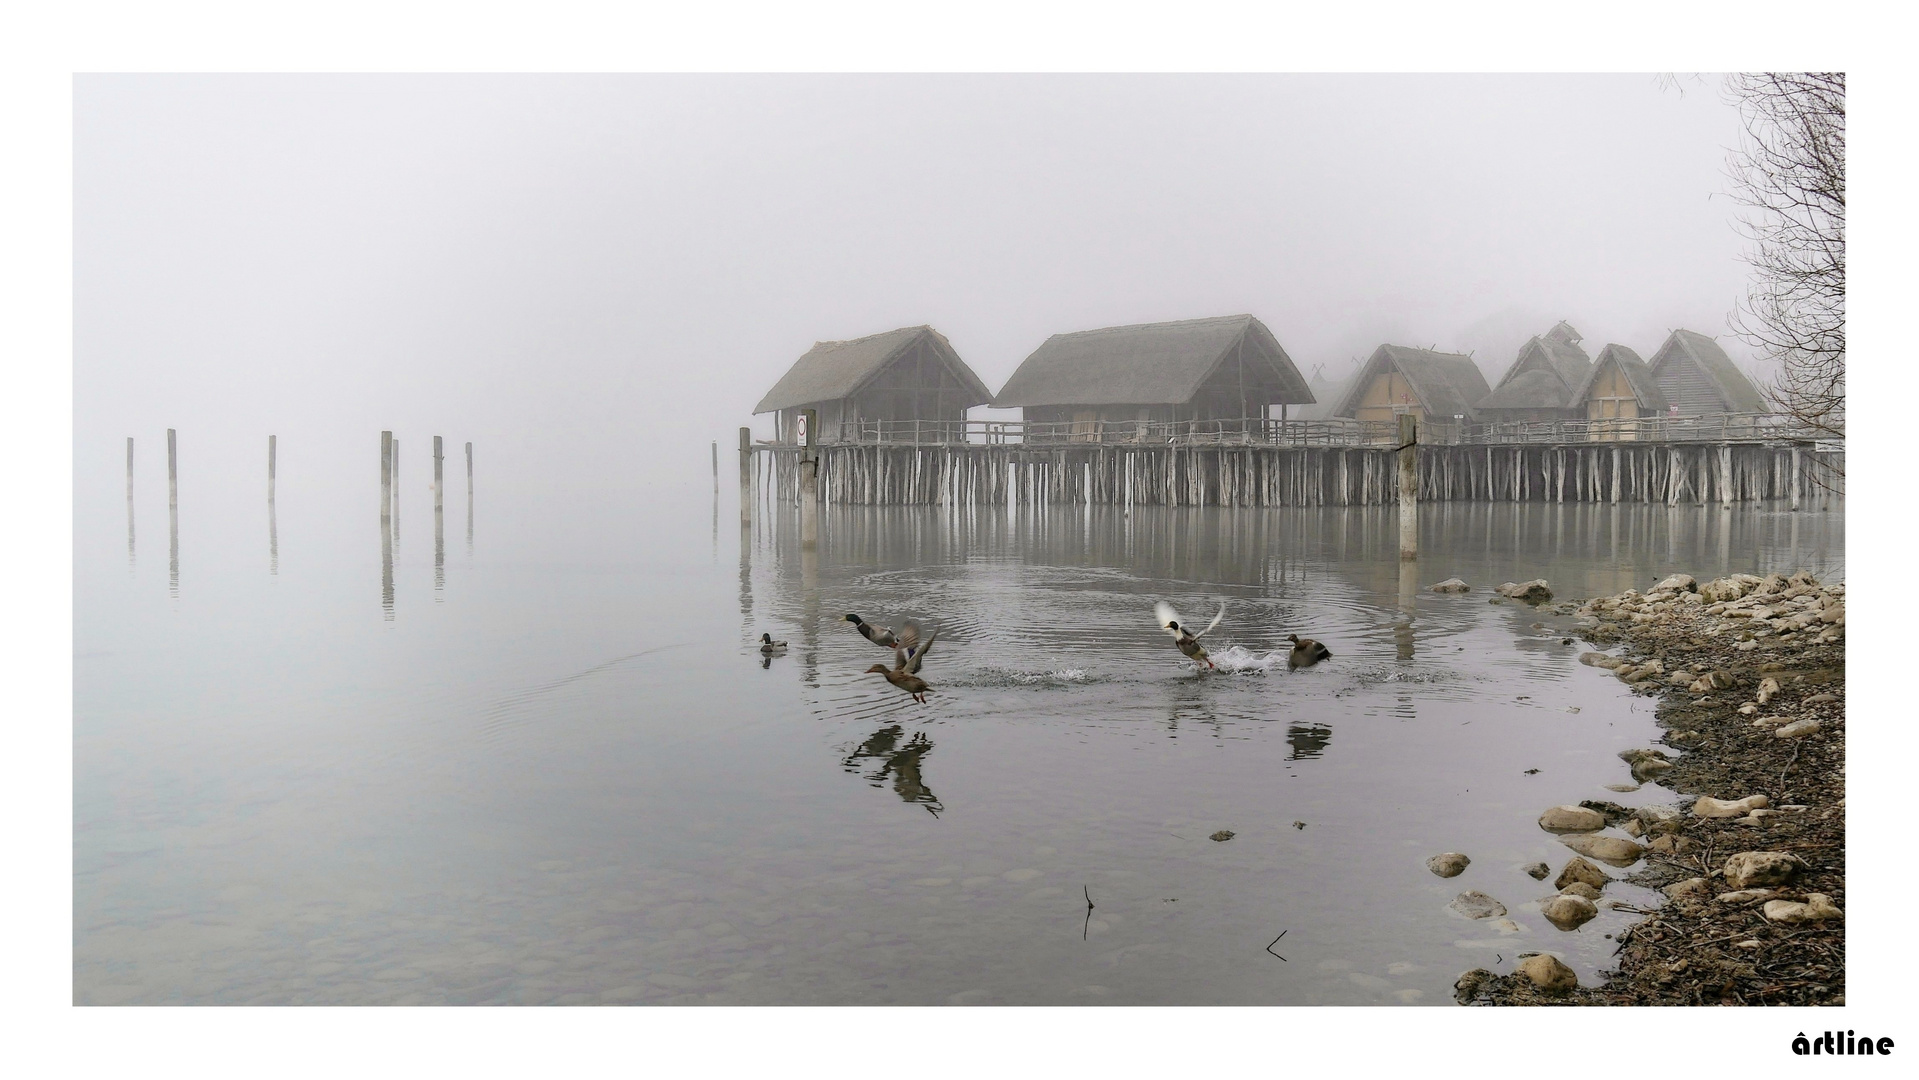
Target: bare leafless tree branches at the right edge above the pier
(1789, 174)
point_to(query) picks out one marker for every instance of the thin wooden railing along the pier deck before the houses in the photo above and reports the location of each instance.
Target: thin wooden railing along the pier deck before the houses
(1340, 433)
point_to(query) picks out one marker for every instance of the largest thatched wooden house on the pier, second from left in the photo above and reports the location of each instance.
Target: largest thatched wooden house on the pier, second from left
(1114, 385)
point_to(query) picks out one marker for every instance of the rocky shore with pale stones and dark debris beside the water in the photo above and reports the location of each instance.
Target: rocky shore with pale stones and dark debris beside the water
(1751, 682)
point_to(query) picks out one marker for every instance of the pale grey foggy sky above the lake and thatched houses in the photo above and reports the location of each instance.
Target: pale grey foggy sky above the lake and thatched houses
(632, 262)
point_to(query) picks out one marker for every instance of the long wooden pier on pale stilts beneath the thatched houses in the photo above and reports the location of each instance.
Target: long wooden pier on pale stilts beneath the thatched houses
(1266, 463)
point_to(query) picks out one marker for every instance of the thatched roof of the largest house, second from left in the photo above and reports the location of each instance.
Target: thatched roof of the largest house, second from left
(1152, 364)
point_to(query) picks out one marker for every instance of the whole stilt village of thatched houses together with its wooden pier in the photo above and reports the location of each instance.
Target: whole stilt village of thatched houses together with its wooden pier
(1214, 411)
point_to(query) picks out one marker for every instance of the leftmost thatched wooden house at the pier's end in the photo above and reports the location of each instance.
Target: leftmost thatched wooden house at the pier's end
(905, 385)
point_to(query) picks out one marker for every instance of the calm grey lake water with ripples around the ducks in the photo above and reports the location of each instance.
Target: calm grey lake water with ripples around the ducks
(556, 770)
